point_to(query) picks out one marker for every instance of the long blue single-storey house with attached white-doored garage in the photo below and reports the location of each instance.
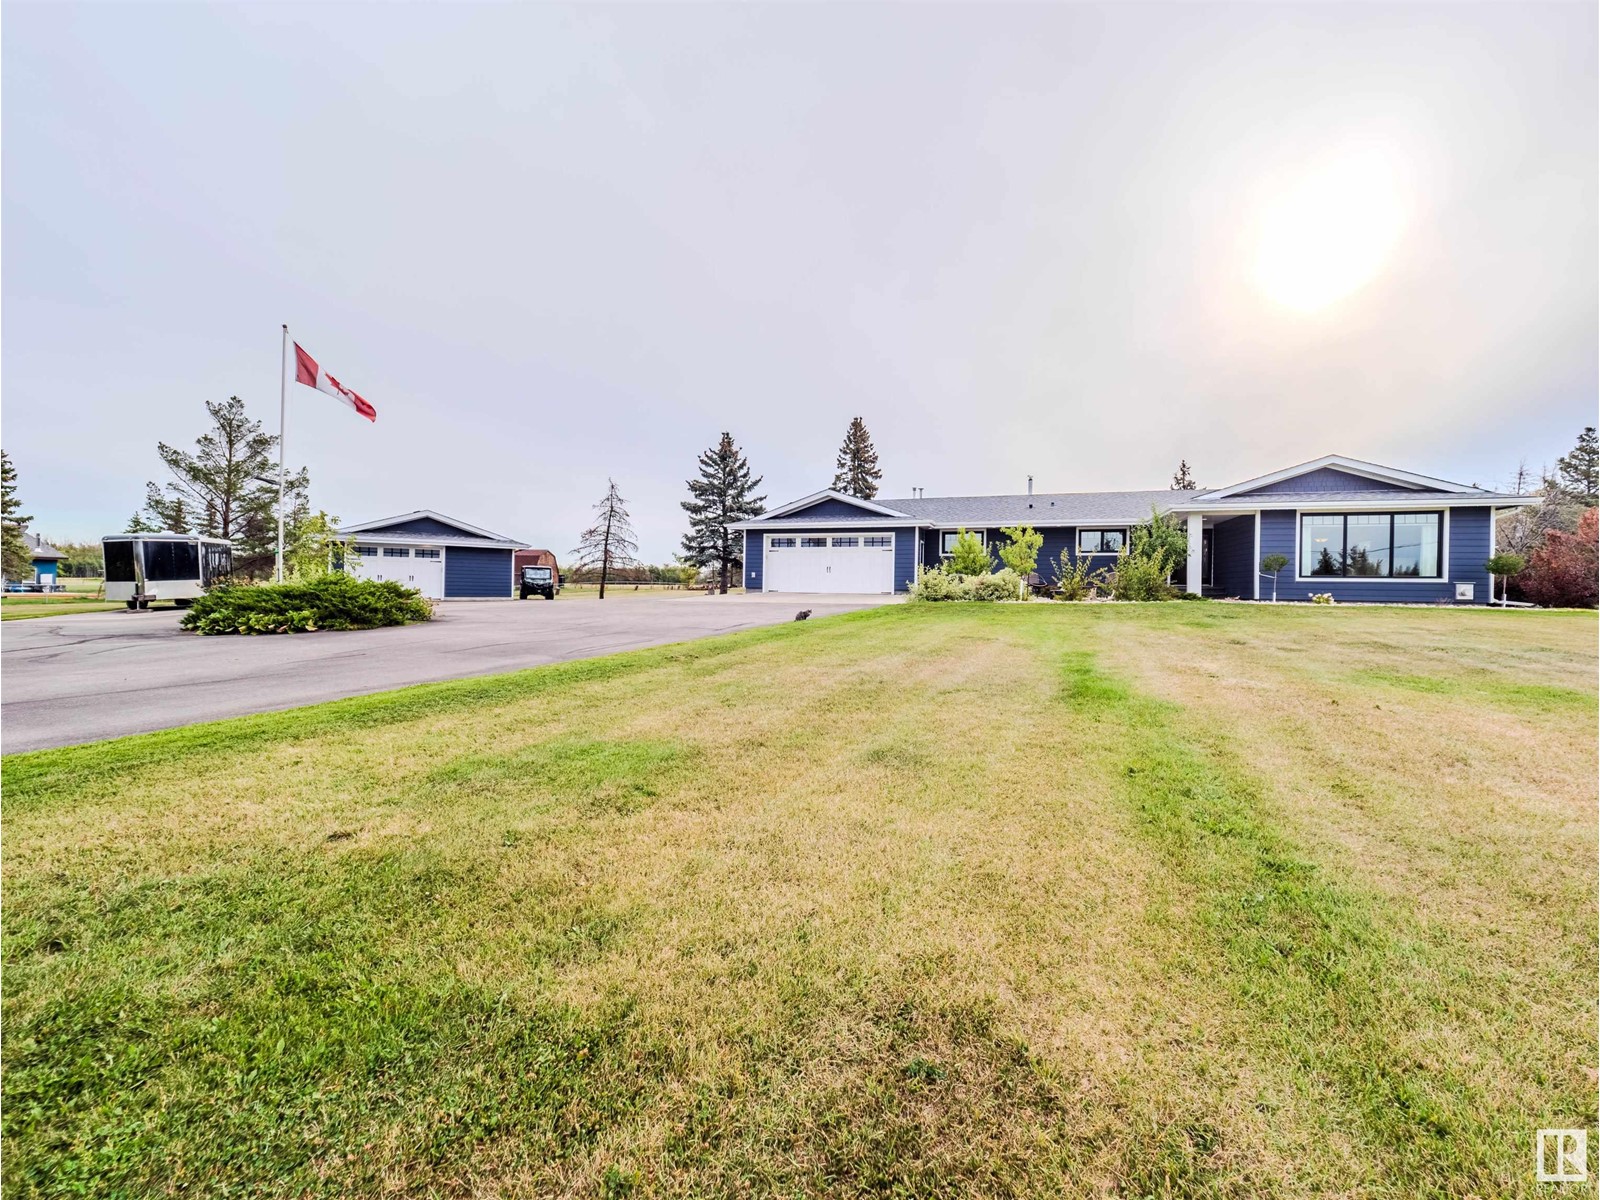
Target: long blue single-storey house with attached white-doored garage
(1353, 529)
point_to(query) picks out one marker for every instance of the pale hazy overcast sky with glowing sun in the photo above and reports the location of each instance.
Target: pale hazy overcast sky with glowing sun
(562, 246)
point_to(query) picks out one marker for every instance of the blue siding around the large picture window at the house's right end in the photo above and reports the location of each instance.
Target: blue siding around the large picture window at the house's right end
(1470, 548)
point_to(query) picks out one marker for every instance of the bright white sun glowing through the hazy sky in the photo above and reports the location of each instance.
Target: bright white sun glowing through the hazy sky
(1330, 234)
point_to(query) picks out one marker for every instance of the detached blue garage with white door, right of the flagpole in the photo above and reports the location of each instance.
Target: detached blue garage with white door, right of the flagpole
(436, 554)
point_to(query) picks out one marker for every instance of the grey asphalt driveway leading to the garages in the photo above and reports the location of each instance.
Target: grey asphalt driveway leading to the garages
(79, 679)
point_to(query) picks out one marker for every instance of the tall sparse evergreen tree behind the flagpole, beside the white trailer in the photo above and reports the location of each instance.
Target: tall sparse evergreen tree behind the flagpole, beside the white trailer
(228, 487)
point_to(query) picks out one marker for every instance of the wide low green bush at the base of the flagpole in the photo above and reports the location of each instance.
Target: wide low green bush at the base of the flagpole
(302, 607)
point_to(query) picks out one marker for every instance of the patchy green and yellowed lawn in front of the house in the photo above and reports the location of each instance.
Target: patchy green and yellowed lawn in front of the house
(1039, 900)
